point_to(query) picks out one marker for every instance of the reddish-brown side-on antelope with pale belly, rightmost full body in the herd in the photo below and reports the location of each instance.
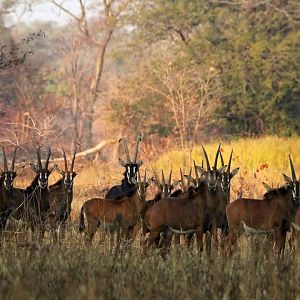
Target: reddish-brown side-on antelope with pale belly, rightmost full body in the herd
(273, 214)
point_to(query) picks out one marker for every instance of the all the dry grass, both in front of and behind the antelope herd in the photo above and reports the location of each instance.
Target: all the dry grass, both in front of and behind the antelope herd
(72, 270)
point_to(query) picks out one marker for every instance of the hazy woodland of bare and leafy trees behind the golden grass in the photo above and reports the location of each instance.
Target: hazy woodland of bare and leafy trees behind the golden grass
(182, 72)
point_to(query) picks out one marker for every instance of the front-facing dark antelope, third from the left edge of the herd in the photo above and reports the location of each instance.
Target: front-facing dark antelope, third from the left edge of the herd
(61, 195)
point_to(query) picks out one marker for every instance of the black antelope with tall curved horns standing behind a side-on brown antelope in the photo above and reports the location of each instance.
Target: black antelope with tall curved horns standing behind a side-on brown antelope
(130, 174)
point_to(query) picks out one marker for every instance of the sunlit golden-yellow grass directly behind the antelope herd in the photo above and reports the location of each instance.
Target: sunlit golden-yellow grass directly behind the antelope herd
(260, 160)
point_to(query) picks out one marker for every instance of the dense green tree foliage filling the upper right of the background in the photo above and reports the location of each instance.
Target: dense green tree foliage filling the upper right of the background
(253, 46)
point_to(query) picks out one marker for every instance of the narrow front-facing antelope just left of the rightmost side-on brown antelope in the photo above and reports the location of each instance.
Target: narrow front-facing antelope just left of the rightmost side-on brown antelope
(223, 193)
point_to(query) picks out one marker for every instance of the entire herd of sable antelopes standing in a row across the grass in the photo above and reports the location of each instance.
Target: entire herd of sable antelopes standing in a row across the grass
(200, 206)
